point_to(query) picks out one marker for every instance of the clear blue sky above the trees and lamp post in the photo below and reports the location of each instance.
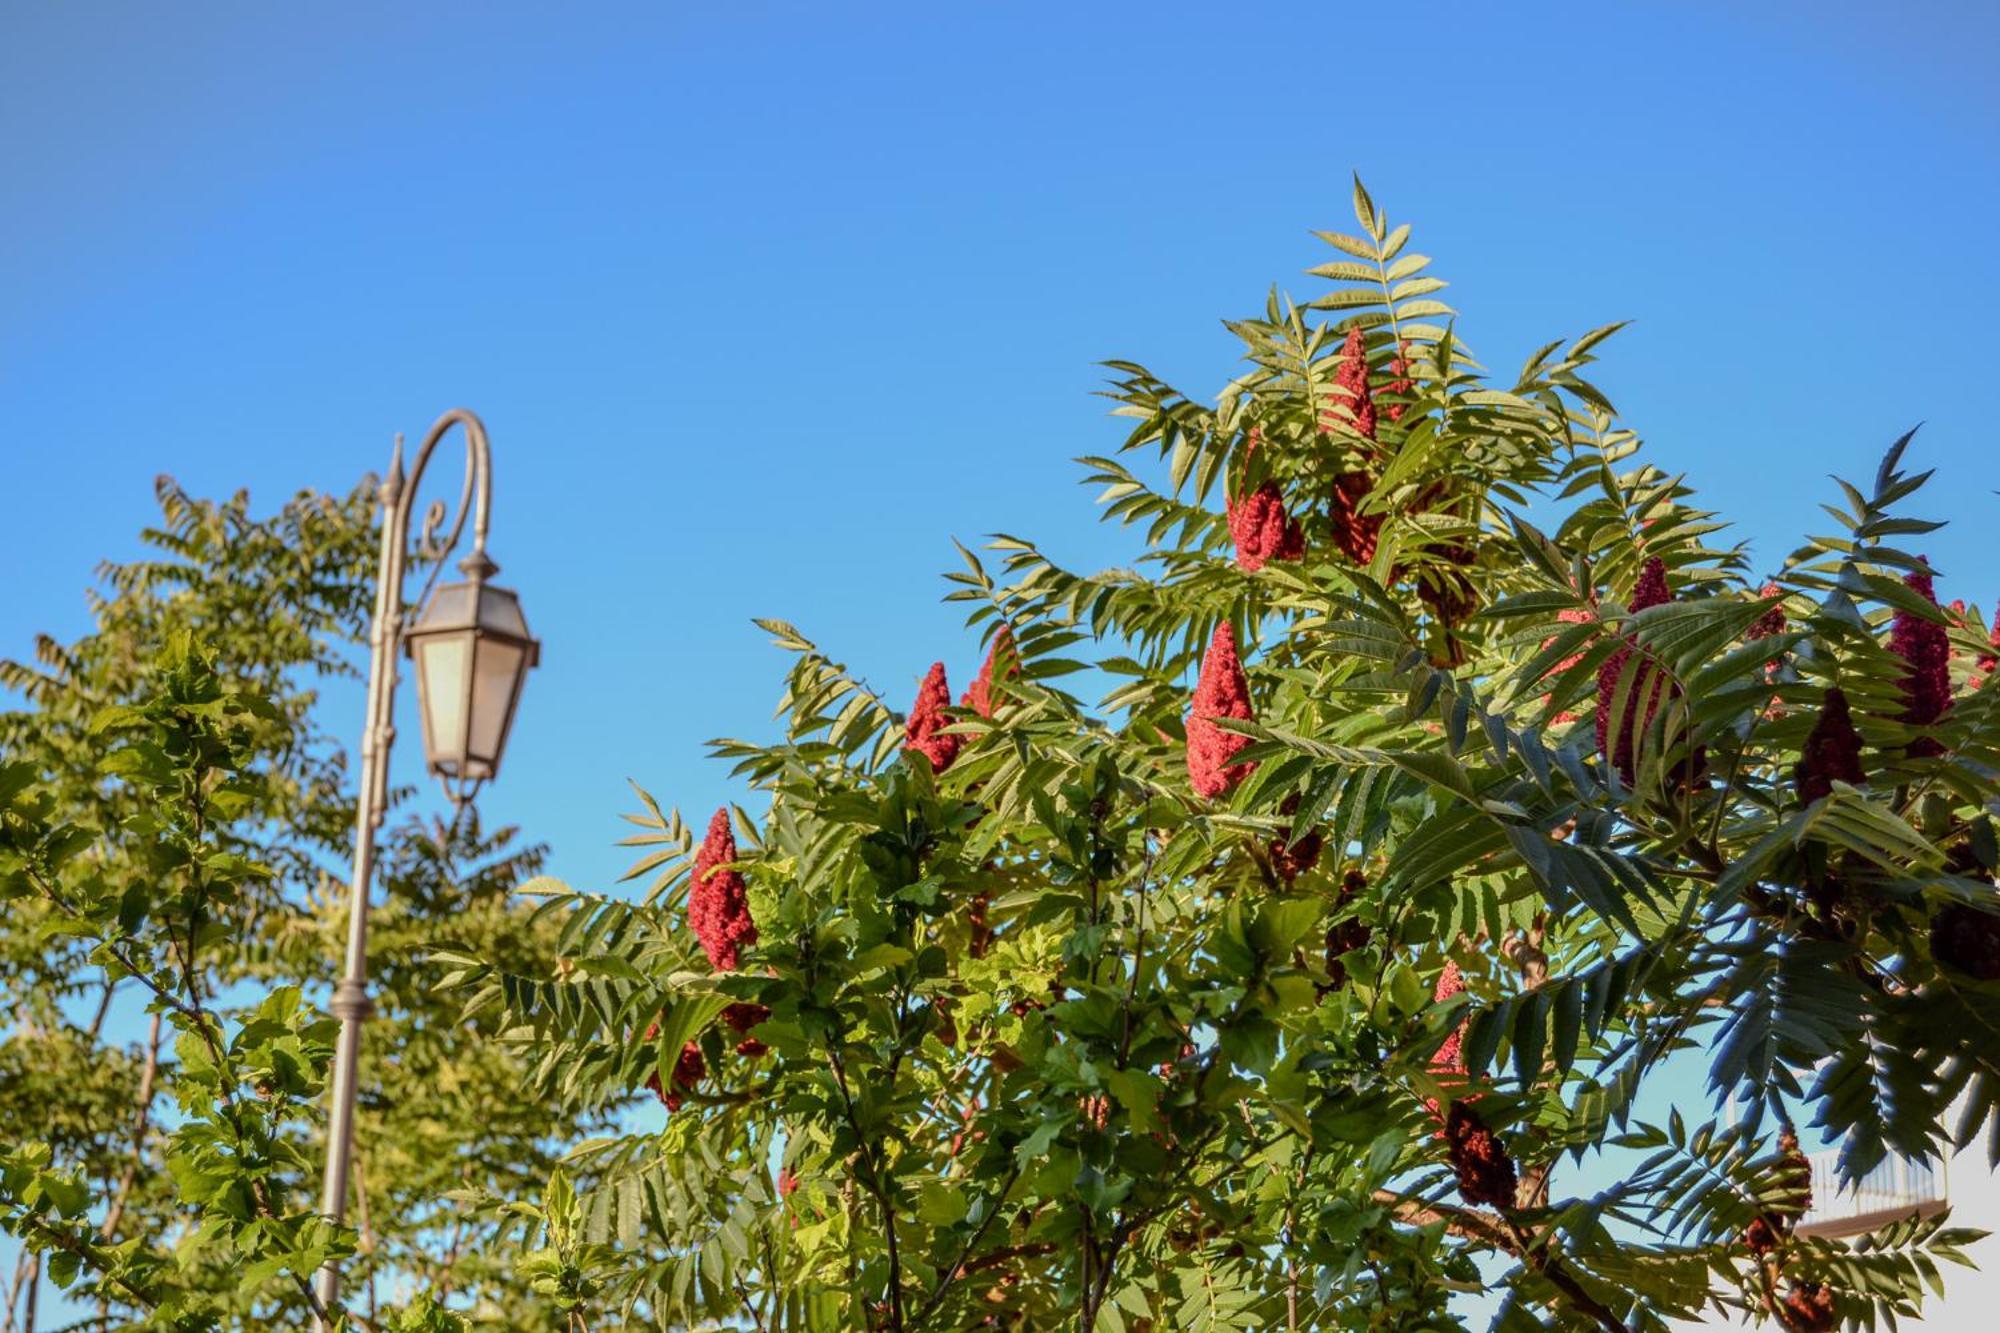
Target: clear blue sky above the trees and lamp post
(765, 303)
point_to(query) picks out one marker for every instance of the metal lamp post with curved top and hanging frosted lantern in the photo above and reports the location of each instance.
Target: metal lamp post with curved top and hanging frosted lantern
(473, 653)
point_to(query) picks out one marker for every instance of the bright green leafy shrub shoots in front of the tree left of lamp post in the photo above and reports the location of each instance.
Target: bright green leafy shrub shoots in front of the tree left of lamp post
(241, 1088)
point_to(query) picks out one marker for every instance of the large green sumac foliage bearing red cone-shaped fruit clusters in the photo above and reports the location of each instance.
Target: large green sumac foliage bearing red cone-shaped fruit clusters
(1055, 1042)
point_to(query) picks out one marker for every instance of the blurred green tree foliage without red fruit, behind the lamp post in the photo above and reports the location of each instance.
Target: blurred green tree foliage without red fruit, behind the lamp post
(179, 822)
